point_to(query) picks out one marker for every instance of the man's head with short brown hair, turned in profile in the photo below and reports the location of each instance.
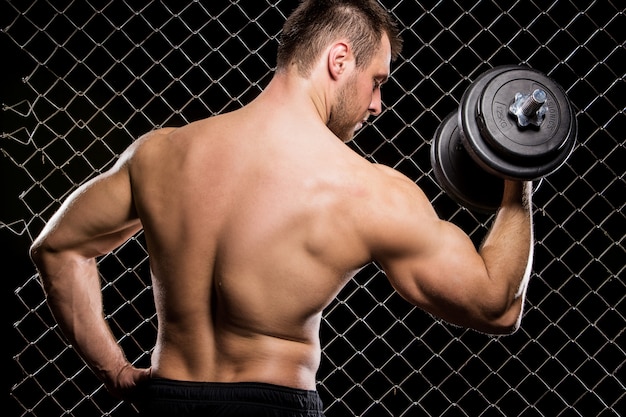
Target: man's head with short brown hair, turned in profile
(357, 30)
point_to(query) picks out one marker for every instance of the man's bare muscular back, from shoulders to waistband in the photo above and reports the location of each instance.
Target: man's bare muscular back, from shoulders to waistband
(250, 234)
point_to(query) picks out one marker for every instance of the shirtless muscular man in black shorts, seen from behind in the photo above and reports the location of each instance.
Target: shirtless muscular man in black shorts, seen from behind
(255, 220)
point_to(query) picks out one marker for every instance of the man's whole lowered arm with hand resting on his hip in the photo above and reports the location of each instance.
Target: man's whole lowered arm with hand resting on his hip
(95, 219)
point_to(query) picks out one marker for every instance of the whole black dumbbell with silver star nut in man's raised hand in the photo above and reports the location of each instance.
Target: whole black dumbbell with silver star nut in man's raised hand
(513, 122)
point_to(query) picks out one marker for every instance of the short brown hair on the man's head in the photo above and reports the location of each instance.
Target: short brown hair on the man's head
(316, 23)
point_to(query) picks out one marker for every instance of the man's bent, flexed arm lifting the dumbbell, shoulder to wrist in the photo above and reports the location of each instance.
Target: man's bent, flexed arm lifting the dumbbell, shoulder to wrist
(434, 264)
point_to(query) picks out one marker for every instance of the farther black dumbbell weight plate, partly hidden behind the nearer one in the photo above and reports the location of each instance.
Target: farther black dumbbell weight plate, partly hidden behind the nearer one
(459, 175)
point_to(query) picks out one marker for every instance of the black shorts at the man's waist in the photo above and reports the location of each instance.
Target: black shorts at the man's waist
(165, 397)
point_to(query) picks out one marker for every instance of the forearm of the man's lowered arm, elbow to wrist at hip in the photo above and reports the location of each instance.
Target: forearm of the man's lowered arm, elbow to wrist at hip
(73, 293)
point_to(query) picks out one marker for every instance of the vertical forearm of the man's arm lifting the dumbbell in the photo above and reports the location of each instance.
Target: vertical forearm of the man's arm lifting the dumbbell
(507, 250)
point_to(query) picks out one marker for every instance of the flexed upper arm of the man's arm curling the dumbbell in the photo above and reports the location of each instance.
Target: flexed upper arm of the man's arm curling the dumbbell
(430, 262)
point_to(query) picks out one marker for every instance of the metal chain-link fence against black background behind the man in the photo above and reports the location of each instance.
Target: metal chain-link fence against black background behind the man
(96, 74)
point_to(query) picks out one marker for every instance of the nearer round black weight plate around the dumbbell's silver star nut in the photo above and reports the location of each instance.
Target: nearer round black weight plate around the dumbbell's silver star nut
(493, 137)
